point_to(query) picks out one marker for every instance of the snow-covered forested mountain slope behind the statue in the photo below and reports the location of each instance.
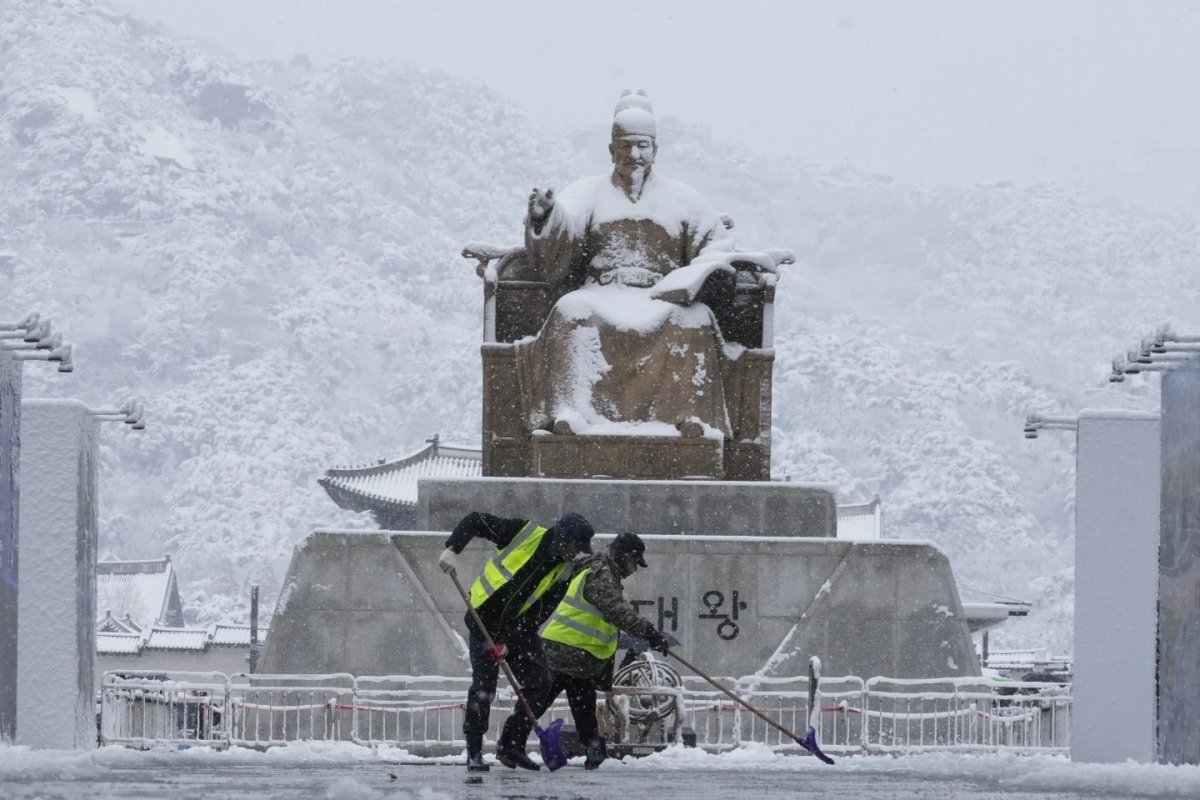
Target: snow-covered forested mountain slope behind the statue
(269, 255)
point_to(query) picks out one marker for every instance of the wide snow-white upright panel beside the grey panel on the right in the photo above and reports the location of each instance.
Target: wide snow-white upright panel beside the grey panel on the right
(1117, 580)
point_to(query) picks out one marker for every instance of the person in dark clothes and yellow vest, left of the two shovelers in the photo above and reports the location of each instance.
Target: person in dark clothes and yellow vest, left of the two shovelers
(518, 591)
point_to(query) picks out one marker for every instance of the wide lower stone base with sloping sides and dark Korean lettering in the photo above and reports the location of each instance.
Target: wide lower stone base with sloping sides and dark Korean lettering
(377, 604)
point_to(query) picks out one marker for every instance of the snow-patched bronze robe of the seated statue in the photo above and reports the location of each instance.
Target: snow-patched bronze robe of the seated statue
(610, 352)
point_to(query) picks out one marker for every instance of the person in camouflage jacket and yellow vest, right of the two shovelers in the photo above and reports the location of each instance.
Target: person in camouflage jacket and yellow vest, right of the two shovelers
(581, 645)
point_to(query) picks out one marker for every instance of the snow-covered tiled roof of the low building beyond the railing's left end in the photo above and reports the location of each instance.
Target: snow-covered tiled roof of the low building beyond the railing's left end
(143, 592)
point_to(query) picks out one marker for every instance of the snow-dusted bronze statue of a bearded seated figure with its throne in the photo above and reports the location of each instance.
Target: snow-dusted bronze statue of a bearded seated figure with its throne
(637, 336)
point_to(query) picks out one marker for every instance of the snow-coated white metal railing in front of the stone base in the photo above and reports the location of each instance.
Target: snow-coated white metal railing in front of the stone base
(424, 714)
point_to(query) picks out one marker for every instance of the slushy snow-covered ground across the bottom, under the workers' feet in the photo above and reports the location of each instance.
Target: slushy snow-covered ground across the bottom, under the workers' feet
(355, 773)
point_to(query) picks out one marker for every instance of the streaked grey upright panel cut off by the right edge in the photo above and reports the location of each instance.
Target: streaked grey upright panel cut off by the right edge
(1179, 570)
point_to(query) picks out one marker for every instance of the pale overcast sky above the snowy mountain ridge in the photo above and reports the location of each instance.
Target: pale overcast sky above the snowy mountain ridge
(1102, 94)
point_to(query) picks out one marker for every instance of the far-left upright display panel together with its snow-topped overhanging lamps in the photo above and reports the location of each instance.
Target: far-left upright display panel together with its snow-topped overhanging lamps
(26, 340)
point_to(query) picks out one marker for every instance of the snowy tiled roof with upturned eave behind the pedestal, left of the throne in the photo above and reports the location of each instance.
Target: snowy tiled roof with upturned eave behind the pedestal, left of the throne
(394, 483)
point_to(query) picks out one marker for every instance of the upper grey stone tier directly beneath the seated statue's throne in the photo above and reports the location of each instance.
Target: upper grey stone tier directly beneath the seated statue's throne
(722, 508)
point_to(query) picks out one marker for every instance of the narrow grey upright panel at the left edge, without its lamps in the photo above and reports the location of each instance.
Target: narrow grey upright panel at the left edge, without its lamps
(10, 456)
